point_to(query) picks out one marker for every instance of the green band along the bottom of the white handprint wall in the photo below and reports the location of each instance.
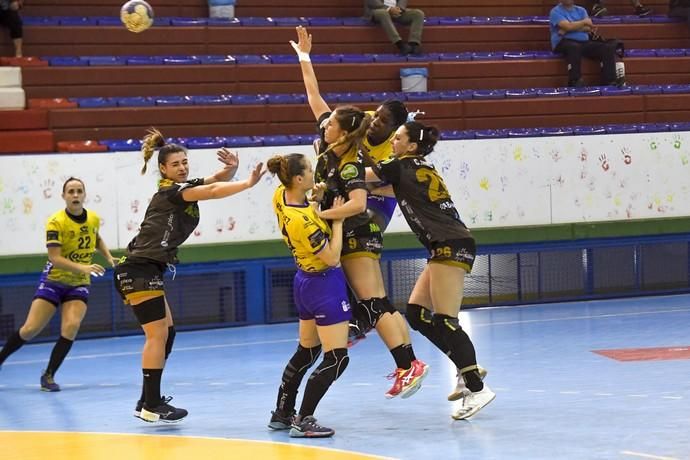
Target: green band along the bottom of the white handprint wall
(505, 235)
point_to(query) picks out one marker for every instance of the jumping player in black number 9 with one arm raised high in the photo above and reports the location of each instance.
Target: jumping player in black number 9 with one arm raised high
(340, 168)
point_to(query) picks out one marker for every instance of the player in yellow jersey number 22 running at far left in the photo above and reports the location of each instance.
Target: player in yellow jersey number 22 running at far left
(71, 238)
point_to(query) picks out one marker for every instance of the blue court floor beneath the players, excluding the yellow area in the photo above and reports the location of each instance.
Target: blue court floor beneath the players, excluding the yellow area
(556, 398)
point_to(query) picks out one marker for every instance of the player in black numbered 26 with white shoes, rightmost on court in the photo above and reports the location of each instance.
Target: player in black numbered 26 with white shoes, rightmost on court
(428, 209)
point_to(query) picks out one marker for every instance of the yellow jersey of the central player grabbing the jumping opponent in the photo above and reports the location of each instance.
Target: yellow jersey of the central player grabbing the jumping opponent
(304, 232)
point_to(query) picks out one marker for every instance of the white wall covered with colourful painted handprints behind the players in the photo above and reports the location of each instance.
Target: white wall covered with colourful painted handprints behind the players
(494, 183)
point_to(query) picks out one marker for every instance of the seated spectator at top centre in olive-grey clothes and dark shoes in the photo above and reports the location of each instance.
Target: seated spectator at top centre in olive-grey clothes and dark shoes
(388, 13)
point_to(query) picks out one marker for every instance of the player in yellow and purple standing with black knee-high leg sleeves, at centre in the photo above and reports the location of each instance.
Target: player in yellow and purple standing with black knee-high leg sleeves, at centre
(320, 294)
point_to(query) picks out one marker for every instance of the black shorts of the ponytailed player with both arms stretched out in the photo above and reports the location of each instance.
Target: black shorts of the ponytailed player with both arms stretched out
(138, 279)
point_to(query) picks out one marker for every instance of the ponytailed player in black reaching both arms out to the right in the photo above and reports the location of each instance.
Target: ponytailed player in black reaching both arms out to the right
(170, 218)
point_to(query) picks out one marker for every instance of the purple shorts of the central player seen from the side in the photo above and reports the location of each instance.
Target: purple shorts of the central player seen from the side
(322, 296)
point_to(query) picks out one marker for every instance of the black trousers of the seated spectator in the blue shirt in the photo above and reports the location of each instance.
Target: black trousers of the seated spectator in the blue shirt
(574, 50)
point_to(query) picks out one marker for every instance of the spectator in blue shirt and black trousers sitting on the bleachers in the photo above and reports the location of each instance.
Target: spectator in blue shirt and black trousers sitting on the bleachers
(570, 35)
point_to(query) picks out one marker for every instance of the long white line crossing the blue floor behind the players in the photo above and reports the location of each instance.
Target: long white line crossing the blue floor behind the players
(270, 342)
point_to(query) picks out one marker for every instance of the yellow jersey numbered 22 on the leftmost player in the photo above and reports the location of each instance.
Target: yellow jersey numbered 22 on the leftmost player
(77, 243)
